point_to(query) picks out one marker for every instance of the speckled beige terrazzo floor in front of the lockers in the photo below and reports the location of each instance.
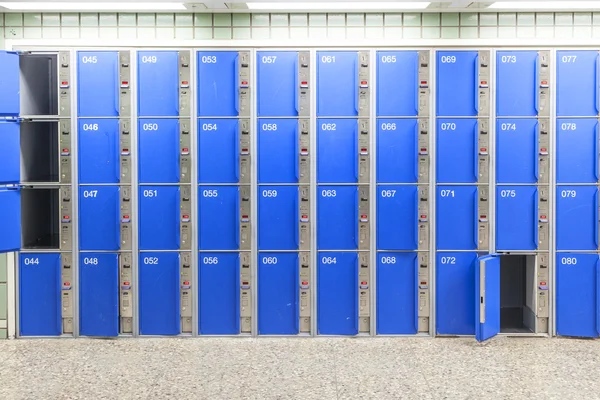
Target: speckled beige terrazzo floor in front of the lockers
(287, 368)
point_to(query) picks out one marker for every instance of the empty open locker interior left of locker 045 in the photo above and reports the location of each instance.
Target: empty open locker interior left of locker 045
(39, 84)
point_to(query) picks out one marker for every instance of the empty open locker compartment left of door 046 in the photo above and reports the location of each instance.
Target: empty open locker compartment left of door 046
(40, 151)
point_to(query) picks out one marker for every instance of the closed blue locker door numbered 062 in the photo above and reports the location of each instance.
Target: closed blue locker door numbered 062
(337, 145)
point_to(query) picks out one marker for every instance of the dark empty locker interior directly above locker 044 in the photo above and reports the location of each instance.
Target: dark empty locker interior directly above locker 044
(40, 224)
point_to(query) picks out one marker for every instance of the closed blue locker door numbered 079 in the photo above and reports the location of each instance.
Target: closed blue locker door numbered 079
(576, 218)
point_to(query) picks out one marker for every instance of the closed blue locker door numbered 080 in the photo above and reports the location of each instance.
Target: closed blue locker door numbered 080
(577, 283)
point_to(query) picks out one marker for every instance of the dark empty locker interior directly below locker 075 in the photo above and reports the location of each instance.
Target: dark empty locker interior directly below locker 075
(517, 294)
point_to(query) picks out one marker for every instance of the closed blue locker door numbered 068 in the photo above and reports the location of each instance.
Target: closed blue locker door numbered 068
(397, 294)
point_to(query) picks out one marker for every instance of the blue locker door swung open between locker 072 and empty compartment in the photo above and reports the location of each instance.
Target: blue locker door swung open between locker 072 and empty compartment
(487, 297)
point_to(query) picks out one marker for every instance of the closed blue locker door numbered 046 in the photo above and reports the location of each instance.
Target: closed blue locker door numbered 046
(99, 151)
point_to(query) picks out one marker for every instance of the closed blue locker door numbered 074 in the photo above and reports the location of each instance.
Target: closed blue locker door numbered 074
(517, 150)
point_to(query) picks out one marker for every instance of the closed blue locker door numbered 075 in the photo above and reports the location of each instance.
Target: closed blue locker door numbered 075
(517, 217)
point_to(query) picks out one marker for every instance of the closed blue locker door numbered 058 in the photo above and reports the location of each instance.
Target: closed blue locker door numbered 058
(278, 150)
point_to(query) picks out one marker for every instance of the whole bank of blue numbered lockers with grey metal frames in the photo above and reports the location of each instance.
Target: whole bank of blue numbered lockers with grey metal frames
(301, 192)
